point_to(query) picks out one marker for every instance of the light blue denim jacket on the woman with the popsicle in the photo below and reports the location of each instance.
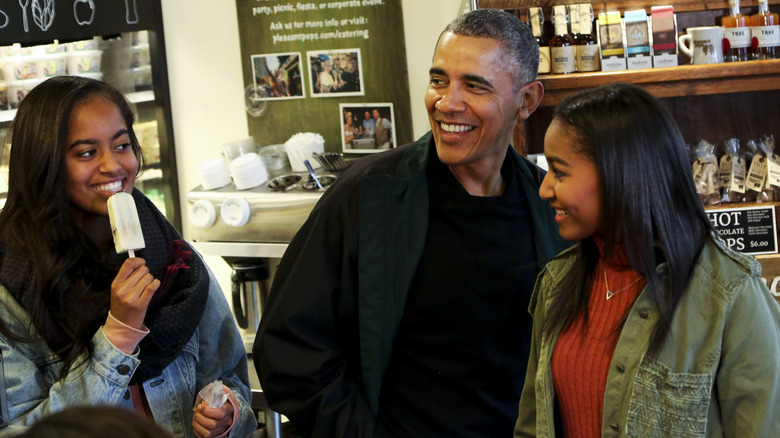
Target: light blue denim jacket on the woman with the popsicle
(214, 352)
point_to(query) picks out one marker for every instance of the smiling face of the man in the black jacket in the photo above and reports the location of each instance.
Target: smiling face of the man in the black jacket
(472, 104)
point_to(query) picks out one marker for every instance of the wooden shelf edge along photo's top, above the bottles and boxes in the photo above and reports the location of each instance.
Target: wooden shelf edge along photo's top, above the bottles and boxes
(622, 5)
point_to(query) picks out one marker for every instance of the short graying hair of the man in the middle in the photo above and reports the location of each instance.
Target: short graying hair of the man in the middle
(520, 56)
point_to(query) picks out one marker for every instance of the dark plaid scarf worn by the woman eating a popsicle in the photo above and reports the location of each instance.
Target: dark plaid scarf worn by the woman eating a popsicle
(175, 310)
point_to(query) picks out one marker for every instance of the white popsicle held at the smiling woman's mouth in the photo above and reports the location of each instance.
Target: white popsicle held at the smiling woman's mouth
(125, 225)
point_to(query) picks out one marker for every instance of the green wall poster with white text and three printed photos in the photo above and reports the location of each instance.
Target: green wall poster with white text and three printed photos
(336, 68)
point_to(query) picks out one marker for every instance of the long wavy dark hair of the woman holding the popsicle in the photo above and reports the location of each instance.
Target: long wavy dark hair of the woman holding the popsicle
(36, 222)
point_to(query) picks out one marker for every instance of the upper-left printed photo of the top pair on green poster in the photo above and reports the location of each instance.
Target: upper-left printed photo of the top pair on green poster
(277, 76)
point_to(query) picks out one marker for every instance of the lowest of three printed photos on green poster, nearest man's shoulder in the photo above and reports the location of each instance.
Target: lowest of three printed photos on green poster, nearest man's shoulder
(367, 127)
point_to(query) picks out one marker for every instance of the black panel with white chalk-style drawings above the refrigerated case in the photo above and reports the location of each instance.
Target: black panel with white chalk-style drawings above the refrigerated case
(32, 22)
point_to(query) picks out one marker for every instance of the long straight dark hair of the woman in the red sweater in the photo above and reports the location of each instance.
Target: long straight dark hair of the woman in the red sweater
(648, 198)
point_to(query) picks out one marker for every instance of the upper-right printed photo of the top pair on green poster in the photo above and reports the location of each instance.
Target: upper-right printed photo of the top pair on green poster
(335, 73)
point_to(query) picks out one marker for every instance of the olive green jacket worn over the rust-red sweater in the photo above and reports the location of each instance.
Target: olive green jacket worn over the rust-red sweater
(717, 374)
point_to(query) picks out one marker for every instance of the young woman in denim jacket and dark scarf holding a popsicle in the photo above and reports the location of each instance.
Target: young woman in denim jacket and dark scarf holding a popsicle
(81, 324)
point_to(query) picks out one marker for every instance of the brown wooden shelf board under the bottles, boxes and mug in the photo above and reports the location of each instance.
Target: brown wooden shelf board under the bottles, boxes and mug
(685, 80)
